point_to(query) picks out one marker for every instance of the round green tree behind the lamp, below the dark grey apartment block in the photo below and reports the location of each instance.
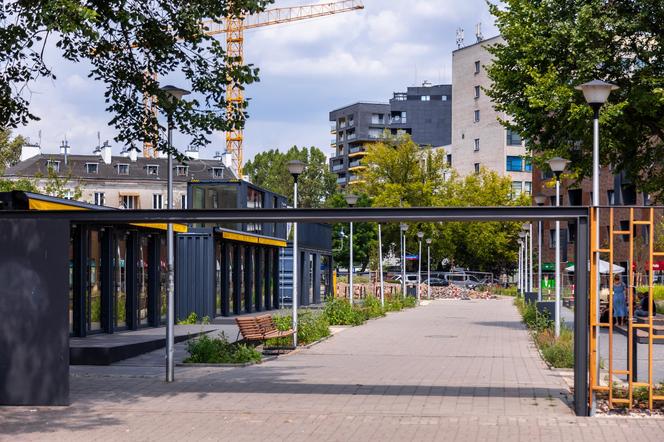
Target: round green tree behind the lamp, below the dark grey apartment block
(316, 185)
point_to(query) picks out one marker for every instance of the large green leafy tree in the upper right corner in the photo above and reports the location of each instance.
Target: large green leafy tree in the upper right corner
(551, 47)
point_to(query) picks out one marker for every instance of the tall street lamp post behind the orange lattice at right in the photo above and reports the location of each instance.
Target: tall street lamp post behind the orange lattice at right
(596, 93)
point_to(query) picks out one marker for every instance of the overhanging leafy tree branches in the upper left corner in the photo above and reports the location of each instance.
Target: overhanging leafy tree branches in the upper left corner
(128, 44)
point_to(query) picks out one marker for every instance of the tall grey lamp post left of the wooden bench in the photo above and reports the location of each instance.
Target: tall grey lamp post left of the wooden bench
(174, 94)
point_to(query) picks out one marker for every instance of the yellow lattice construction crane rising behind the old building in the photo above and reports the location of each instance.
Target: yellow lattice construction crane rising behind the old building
(234, 28)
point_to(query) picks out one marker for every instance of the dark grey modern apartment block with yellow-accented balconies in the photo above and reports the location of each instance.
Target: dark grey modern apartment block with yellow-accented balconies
(423, 112)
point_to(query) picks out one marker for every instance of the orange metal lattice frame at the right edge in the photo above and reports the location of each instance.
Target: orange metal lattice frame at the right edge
(637, 328)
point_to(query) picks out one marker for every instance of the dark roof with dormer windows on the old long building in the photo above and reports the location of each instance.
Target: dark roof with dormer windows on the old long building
(198, 169)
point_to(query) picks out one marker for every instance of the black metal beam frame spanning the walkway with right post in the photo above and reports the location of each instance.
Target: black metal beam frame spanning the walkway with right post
(379, 215)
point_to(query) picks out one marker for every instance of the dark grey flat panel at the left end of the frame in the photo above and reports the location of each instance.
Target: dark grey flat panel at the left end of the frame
(34, 330)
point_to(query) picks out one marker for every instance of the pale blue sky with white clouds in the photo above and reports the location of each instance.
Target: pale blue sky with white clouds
(307, 69)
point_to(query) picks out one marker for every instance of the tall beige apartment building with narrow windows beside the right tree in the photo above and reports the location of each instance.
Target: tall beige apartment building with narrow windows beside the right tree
(478, 138)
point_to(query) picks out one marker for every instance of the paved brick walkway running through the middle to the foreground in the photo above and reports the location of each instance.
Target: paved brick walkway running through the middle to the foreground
(449, 370)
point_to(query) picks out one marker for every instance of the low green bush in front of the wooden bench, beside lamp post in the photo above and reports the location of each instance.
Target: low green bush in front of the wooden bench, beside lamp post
(207, 350)
